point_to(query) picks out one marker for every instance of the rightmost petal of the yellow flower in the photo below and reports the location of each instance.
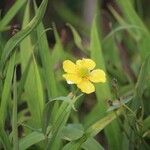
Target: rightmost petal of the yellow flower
(97, 75)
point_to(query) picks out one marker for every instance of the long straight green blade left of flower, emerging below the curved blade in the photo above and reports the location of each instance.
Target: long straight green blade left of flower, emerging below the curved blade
(45, 55)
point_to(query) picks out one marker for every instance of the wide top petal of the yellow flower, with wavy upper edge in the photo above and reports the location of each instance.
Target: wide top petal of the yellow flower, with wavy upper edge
(88, 63)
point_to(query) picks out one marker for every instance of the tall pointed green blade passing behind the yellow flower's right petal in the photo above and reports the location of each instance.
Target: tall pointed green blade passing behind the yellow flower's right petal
(102, 91)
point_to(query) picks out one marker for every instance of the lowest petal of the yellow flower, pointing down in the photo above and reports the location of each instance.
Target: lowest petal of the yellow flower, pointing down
(86, 86)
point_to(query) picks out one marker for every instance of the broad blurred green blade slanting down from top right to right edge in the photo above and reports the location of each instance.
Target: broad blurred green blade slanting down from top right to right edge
(132, 17)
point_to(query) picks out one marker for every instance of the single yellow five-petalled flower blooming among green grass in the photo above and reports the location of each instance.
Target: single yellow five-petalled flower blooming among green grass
(82, 74)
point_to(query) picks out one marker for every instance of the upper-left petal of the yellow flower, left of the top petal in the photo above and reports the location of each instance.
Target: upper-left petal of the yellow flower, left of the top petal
(69, 66)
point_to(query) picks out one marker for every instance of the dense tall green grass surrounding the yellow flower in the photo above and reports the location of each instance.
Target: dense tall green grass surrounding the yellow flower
(38, 110)
